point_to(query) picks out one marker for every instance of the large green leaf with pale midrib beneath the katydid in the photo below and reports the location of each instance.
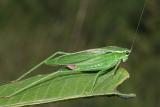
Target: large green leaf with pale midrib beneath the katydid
(63, 88)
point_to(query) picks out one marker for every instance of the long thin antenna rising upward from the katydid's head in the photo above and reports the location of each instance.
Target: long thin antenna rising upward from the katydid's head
(137, 28)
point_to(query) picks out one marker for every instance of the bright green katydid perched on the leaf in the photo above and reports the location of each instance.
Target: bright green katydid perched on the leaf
(94, 60)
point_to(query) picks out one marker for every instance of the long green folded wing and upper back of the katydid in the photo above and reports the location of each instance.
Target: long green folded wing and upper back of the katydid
(83, 55)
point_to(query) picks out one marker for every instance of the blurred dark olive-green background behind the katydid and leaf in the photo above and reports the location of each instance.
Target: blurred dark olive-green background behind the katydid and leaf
(31, 30)
